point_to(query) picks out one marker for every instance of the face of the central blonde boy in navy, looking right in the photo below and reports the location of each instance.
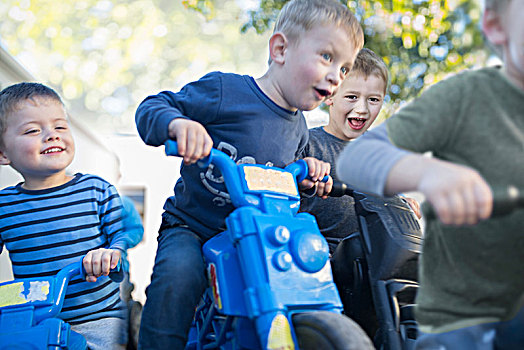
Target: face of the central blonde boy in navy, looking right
(314, 66)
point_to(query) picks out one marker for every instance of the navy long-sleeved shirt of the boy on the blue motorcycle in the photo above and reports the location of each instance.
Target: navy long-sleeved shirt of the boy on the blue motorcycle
(242, 122)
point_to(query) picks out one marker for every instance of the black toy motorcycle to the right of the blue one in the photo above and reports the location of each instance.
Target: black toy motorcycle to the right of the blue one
(376, 268)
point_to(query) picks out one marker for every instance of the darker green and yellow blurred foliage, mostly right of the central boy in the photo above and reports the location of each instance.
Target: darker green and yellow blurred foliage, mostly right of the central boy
(421, 41)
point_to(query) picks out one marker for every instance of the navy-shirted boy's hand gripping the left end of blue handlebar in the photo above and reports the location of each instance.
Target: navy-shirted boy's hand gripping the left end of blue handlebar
(193, 141)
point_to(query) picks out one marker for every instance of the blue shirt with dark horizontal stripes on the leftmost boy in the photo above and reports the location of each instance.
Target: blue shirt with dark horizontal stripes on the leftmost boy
(45, 230)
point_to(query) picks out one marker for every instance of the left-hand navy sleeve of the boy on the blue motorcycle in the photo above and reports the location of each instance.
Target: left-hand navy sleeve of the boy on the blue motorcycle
(198, 101)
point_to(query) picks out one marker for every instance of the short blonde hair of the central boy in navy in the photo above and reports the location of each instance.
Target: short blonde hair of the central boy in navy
(298, 16)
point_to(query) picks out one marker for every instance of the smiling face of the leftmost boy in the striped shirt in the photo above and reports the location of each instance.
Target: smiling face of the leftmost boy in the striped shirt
(37, 141)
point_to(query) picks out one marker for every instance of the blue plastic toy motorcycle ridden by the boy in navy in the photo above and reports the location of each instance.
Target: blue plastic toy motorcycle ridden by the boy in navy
(271, 285)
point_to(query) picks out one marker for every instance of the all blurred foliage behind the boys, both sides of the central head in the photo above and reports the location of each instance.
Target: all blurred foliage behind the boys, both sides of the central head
(105, 56)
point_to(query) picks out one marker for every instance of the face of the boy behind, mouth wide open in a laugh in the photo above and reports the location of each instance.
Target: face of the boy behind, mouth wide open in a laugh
(355, 106)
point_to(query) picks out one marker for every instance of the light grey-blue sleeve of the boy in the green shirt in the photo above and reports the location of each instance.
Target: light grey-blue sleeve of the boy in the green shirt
(365, 163)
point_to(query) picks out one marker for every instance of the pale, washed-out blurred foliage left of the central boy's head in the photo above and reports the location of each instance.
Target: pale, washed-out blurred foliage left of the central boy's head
(105, 57)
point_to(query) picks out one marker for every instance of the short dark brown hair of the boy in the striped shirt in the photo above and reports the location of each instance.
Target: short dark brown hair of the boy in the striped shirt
(13, 95)
